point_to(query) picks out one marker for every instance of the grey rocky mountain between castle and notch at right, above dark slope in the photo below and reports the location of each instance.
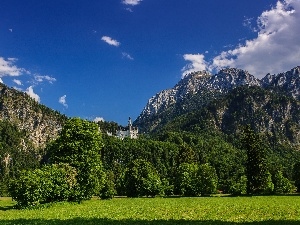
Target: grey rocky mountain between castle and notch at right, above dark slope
(193, 91)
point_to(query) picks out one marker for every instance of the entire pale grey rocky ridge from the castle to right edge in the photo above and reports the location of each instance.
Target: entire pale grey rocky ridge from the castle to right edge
(197, 89)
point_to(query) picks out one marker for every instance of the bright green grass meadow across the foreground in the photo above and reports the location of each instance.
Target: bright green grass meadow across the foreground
(265, 210)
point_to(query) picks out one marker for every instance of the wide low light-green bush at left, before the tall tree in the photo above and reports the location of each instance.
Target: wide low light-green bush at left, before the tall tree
(51, 183)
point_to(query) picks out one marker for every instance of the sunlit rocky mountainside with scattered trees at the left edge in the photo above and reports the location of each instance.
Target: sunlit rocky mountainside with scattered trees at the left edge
(40, 123)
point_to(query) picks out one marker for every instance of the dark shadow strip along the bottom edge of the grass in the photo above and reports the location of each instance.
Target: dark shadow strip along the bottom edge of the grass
(82, 221)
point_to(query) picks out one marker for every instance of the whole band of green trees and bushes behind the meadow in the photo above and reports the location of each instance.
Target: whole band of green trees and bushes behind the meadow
(82, 163)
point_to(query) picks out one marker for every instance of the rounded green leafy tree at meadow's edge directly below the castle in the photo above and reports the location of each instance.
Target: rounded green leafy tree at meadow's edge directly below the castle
(141, 179)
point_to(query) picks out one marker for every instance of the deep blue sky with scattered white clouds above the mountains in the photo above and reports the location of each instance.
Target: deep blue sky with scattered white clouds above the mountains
(104, 59)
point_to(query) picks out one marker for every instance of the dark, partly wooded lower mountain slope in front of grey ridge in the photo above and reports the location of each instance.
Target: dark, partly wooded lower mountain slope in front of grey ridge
(274, 115)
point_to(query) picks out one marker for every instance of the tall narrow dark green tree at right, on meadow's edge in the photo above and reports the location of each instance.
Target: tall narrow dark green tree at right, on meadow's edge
(258, 177)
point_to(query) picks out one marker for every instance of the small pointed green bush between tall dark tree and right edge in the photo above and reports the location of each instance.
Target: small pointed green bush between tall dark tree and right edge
(282, 185)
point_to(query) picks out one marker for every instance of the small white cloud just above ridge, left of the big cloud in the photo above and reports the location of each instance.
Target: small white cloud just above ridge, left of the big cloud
(197, 63)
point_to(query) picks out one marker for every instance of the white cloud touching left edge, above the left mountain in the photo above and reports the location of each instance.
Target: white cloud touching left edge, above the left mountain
(7, 67)
